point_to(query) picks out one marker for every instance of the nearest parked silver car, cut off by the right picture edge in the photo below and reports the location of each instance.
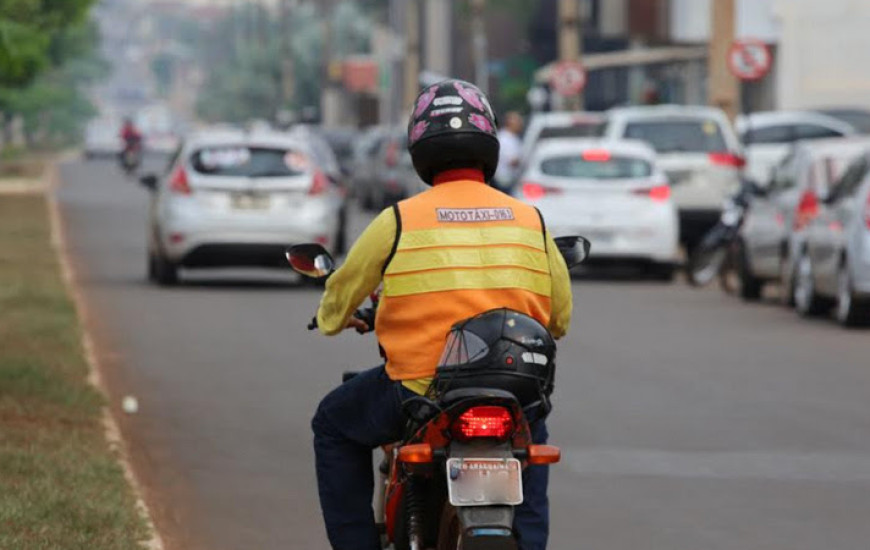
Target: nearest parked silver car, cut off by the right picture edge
(833, 269)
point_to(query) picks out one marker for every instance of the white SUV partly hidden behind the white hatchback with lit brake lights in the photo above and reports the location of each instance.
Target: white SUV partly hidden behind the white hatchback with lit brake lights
(698, 150)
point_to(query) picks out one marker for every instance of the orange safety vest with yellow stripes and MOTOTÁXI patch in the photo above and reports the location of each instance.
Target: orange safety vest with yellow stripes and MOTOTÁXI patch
(461, 248)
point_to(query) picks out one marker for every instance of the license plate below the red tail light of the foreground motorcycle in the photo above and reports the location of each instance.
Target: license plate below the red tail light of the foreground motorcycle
(484, 481)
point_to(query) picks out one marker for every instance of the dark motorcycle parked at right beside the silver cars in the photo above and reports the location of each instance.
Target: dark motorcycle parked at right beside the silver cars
(717, 254)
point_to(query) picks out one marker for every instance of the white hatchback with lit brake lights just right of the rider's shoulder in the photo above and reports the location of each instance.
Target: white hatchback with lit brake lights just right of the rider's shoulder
(611, 192)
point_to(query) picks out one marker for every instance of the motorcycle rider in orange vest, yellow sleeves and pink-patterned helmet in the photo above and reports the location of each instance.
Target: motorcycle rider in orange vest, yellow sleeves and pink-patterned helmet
(452, 252)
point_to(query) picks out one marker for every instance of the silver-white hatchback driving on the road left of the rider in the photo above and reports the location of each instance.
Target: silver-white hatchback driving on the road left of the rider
(237, 199)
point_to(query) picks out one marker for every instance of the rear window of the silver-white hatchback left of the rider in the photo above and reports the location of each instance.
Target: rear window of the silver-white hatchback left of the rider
(249, 162)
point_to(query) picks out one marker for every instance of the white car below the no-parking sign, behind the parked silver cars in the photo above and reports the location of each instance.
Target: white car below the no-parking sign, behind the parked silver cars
(768, 136)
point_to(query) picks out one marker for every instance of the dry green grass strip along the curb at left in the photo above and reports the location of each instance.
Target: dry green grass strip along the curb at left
(61, 487)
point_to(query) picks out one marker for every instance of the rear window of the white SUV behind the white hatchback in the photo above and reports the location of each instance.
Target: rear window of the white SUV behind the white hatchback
(674, 136)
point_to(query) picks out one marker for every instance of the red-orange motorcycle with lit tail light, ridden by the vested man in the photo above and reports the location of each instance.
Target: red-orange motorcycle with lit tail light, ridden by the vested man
(454, 479)
